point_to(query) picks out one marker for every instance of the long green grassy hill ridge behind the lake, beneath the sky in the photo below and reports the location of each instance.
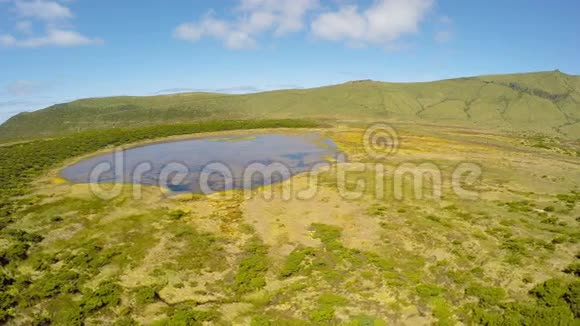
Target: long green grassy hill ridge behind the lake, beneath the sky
(547, 102)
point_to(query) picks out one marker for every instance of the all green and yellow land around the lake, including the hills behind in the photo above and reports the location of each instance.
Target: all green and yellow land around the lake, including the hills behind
(508, 256)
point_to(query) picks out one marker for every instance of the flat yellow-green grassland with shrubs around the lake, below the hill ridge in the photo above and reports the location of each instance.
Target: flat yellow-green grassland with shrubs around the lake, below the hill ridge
(510, 257)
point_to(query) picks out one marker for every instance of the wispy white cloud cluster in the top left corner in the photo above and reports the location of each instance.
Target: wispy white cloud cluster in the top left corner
(54, 19)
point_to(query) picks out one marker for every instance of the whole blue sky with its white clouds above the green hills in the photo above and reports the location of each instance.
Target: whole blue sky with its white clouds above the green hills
(53, 51)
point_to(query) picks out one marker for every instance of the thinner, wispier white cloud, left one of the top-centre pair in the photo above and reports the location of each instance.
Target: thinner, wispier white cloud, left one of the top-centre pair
(252, 18)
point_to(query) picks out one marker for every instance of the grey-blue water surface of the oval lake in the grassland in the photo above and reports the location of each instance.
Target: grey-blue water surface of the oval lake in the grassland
(298, 153)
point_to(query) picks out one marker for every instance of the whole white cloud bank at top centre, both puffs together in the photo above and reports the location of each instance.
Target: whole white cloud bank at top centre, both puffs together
(383, 22)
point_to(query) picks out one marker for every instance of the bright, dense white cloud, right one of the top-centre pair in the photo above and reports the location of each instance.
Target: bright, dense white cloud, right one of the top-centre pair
(382, 23)
